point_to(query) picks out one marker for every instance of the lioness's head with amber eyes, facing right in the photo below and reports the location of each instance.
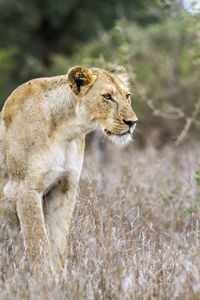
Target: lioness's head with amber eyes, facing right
(105, 98)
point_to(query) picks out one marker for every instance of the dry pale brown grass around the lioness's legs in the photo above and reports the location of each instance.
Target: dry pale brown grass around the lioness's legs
(135, 233)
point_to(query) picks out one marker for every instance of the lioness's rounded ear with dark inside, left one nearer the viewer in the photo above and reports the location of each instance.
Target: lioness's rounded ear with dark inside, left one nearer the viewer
(80, 80)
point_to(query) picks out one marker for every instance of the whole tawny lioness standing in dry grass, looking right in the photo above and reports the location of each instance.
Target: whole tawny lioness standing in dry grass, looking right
(42, 136)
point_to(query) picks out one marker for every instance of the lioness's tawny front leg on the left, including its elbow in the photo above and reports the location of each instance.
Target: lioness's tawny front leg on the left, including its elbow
(24, 204)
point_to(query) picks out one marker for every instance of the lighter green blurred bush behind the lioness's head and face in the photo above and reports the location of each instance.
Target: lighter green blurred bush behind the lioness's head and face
(161, 57)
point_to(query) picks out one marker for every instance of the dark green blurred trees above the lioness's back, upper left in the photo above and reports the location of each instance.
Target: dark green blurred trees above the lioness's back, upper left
(33, 31)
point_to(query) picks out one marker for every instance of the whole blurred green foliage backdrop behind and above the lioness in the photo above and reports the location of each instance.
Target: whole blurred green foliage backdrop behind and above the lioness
(159, 47)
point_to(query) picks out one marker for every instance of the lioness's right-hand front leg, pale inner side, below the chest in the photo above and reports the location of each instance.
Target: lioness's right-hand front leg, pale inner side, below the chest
(58, 209)
